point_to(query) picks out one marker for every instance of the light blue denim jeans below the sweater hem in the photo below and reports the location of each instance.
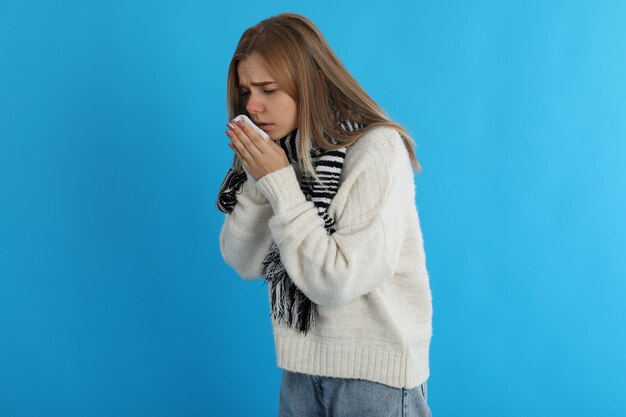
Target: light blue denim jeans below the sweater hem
(303, 395)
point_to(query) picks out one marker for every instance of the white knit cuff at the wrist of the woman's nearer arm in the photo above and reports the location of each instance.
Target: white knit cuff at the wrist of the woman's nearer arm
(281, 189)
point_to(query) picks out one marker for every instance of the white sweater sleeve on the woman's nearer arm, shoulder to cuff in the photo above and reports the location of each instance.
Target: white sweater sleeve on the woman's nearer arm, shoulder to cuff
(335, 269)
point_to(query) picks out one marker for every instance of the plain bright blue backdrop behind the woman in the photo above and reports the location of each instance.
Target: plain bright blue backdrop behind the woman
(114, 299)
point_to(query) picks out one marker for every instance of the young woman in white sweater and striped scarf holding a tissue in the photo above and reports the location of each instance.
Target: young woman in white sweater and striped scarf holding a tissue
(325, 212)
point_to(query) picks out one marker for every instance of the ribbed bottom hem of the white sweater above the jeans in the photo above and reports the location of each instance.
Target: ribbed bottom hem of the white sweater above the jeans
(400, 369)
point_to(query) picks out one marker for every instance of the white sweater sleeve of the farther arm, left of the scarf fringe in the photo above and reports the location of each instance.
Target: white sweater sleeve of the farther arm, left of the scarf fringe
(245, 236)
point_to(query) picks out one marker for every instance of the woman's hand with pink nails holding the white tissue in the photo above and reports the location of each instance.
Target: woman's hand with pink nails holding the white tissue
(257, 156)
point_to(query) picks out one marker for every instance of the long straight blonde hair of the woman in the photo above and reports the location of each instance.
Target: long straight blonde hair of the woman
(307, 69)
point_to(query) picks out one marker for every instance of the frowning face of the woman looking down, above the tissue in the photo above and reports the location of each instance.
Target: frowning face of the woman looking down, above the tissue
(269, 106)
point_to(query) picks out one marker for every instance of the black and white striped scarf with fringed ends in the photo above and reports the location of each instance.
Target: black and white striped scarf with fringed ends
(287, 302)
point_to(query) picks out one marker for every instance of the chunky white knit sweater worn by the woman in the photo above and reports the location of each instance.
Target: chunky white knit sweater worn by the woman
(368, 279)
